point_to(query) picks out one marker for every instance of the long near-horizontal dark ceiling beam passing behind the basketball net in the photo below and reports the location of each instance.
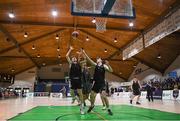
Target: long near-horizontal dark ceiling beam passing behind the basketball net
(63, 25)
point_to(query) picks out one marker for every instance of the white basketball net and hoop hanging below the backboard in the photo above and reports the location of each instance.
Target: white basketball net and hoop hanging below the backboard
(101, 24)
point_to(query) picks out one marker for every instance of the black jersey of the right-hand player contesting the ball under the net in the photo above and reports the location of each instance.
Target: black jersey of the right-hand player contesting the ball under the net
(99, 74)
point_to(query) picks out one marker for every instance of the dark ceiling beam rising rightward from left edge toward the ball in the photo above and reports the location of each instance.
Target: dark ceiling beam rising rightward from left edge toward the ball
(31, 40)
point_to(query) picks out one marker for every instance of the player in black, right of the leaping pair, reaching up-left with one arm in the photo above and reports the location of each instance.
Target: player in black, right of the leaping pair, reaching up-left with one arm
(99, 81)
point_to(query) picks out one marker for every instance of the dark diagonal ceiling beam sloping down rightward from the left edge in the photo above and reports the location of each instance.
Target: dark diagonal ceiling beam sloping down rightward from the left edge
(7, 34)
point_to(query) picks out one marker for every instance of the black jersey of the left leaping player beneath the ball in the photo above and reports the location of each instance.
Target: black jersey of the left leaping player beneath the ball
(75, 71)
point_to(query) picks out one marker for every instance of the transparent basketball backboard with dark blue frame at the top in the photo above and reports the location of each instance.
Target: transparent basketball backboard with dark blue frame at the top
(103, 8)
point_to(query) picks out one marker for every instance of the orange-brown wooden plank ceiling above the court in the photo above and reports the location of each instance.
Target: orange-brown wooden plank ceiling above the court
(34, 17)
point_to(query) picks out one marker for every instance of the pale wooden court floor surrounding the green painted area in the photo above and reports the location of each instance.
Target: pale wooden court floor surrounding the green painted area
(11, 107)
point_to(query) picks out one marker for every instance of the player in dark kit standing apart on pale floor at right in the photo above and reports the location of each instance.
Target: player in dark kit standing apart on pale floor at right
(135, 90)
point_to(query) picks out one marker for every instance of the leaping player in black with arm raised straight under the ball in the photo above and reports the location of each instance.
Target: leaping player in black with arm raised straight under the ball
(75, 78)
